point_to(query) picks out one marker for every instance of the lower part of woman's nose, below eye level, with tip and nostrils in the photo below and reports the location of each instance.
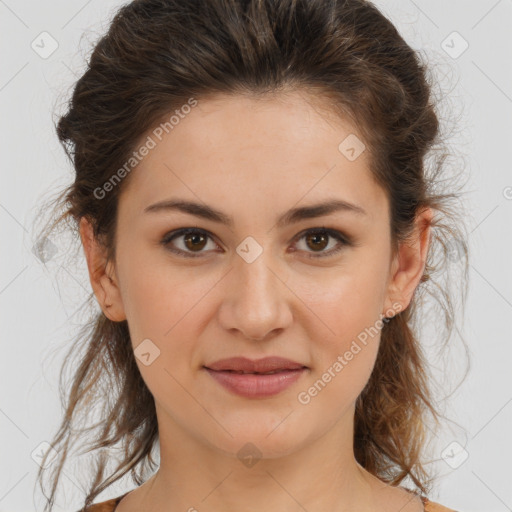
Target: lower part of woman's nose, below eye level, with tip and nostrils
(257, 303)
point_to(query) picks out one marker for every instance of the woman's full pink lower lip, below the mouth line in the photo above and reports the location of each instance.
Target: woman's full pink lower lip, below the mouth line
(251, 385)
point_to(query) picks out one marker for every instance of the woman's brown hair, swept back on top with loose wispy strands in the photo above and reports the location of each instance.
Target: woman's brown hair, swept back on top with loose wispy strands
(156, 55)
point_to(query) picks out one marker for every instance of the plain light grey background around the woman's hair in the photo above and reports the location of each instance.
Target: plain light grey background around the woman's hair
(40, 306)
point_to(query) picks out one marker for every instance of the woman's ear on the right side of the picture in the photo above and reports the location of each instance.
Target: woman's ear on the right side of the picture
(409, 263)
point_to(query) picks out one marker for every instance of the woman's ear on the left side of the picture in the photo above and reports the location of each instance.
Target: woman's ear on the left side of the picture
(102, 275)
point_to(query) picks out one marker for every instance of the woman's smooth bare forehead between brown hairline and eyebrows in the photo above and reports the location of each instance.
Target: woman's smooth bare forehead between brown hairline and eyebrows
(269, 152)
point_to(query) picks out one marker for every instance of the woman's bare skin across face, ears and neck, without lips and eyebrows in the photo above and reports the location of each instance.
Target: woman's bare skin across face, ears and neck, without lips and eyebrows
(253, 160)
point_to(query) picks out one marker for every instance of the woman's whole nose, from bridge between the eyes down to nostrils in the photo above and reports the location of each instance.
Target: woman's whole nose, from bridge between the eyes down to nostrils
(256, 302)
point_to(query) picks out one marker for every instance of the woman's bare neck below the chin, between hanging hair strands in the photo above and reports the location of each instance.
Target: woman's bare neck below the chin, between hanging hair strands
(320, 475)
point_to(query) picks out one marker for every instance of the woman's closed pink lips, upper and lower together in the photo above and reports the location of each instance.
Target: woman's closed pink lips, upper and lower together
(256, 385)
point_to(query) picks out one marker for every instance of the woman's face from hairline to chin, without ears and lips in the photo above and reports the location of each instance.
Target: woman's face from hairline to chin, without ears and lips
(255, 287)
